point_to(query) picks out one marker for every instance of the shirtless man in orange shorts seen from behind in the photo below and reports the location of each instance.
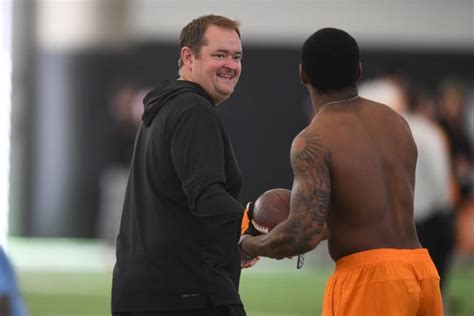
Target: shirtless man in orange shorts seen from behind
(354, 177)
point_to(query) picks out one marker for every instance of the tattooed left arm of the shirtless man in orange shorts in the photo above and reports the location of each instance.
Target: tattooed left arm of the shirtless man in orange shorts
(305, 226)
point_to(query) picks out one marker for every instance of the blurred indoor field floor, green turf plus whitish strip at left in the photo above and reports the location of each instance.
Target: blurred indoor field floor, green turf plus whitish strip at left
(68, 278)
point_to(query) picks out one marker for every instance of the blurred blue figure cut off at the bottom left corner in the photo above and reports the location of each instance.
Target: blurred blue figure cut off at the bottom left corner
(11, 302)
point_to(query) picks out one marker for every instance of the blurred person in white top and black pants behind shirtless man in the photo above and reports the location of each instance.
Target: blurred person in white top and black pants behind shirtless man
(433, 201)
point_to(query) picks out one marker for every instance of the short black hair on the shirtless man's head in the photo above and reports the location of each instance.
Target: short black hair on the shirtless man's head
(330, 60)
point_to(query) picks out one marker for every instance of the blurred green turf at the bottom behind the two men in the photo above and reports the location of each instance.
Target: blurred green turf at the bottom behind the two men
(284, 293)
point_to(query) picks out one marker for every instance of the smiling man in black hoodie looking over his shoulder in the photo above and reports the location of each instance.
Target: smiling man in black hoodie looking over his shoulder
(177, 248)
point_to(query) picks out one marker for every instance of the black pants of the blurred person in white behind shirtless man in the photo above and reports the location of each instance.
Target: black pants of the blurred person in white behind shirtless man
(437, 234)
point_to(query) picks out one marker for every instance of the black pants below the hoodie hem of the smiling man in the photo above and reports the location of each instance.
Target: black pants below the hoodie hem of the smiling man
(229, 310)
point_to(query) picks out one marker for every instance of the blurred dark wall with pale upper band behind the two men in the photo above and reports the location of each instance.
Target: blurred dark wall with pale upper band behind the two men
(80, 56)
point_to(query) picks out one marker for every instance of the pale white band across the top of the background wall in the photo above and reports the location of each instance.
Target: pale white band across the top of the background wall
(440, 24)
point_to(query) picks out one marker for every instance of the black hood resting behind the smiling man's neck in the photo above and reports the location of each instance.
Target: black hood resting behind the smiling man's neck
(156, 99)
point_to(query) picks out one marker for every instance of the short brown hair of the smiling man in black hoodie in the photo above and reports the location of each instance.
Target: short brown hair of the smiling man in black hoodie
(192, 35)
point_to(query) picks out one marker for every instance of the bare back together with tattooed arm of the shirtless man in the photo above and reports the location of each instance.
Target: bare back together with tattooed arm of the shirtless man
(354, 177)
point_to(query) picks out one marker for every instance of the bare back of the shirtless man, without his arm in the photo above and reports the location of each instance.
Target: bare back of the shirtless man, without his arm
(372, 159)
